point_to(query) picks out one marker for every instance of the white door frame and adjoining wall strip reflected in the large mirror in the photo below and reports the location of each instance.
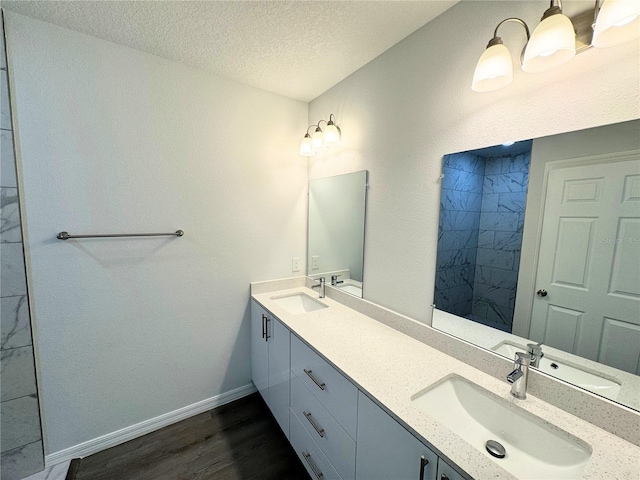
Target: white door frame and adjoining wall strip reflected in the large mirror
(532, 233)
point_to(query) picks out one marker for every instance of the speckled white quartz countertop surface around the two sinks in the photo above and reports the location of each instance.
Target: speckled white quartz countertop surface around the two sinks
(391, 367)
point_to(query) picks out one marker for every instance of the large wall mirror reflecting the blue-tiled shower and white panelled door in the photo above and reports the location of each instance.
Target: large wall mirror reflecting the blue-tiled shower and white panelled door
(539, 242)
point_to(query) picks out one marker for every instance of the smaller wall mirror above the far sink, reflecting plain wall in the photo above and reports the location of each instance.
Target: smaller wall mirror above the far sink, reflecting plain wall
(336, 230)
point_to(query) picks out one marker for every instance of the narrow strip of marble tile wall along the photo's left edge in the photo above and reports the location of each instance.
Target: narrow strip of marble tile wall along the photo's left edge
(21, 436)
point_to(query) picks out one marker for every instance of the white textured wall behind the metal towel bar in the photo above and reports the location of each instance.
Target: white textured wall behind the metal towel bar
(114, 140)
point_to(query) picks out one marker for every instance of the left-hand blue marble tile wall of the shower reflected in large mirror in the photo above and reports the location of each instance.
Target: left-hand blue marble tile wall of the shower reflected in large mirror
(460, 207)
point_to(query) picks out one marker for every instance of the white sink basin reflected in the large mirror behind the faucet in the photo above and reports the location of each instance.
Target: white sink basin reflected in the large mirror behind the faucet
(589, 381)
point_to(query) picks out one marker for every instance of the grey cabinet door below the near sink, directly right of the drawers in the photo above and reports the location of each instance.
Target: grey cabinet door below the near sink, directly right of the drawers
(385, 449)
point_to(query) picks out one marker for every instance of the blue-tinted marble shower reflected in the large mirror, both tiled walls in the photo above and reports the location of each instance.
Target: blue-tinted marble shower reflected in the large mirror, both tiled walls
(480, 233)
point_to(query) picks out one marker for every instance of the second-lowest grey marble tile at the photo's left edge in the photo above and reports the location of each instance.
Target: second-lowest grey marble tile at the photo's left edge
(20, 422)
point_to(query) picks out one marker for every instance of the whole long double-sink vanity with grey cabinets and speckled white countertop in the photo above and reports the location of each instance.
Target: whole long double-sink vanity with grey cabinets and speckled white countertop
(358, 399)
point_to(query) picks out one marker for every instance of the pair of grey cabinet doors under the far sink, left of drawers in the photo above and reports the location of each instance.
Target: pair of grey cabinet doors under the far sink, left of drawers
(270, 362)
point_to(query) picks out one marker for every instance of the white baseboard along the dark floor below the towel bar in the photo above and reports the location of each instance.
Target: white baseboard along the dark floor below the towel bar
(129, 433)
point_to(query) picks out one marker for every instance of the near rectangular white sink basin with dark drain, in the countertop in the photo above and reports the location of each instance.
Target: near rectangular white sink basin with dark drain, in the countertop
(534, 448)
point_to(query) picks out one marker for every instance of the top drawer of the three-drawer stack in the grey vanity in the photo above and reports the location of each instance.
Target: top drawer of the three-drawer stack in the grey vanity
(337, 394)
